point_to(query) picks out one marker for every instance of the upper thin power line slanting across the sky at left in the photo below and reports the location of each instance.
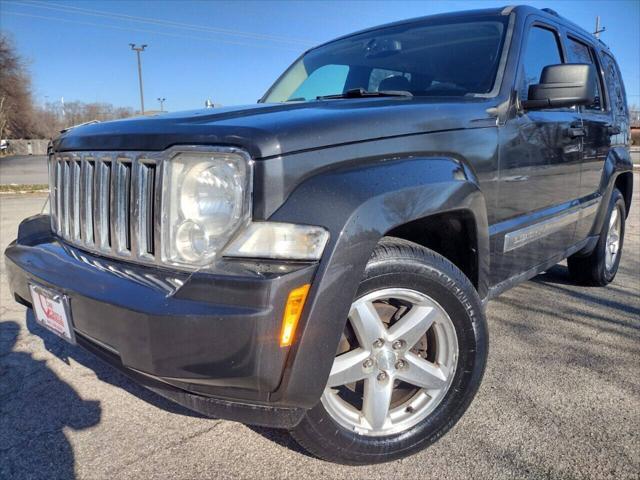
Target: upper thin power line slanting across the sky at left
(161, 22)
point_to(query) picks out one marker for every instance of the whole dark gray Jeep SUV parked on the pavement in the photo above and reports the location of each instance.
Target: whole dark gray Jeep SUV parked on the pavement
(320, 261)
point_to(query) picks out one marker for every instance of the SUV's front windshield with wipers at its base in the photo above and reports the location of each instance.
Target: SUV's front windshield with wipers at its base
(432, 59)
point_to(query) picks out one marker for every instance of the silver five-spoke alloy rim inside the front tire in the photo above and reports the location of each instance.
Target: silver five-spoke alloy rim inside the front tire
(395, 363)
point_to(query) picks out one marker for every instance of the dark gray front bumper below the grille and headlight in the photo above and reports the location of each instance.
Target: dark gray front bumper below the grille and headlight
(209, 341)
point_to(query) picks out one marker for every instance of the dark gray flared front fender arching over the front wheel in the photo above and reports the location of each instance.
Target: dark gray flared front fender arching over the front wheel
(358, 206)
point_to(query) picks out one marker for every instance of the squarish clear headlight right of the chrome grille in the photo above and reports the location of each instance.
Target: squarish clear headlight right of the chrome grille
(206, 198)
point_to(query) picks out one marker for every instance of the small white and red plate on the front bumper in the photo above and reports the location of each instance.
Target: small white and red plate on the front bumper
(51, 310)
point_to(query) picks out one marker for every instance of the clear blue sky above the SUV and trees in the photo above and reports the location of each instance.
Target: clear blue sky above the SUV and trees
(230, 52)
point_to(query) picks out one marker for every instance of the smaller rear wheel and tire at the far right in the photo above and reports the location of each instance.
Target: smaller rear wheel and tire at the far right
(599, 268)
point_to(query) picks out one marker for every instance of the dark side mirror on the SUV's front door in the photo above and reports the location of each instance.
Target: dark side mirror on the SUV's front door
(564, 85)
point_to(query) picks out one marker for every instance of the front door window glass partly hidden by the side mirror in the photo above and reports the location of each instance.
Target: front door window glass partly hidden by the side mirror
(542, 49)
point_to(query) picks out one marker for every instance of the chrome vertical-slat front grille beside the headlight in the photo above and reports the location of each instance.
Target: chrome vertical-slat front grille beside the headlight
(107, 203)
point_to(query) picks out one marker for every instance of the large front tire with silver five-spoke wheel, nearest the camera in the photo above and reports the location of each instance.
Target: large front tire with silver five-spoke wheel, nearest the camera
(409, 363)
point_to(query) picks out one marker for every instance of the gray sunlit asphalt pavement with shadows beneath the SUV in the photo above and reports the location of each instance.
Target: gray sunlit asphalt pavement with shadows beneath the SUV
(560, 398)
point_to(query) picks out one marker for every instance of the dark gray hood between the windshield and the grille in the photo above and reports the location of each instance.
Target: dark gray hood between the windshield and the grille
(267, 130)
